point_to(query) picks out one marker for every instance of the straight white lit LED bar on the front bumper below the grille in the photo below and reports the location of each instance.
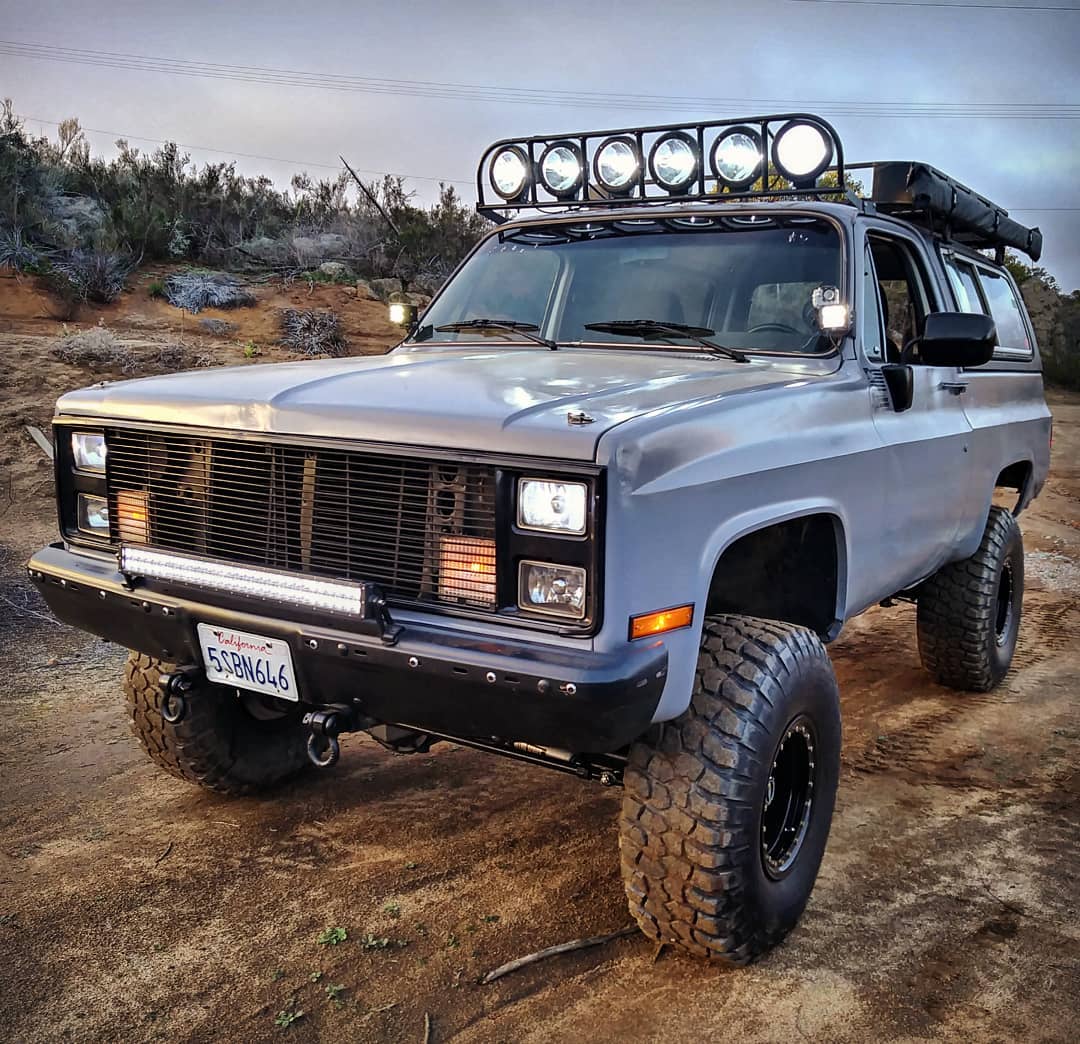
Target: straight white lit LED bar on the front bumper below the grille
(308, 592)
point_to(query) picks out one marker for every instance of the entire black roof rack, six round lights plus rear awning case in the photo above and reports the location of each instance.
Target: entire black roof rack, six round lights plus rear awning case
(784, 156)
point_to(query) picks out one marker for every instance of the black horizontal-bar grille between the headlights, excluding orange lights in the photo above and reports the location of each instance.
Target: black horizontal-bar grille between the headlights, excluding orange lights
(346, 514)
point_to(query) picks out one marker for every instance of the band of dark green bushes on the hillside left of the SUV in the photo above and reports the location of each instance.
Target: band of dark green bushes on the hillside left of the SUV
(88, 222)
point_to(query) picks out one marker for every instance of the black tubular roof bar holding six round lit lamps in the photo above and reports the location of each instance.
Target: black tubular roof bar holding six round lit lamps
(696, 161)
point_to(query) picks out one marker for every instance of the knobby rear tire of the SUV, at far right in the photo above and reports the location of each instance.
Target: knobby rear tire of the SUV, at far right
(969, 613)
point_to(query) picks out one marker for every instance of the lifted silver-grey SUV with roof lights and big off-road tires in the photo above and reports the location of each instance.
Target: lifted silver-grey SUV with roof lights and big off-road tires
(647, 451)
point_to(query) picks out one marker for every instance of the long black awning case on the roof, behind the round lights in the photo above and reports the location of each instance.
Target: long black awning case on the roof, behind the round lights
(924, 196)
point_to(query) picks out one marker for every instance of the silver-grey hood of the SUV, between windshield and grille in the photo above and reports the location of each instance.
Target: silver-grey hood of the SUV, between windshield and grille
(511, 401)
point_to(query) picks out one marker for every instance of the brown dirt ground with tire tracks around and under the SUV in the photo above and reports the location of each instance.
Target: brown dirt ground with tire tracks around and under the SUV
(134, 907)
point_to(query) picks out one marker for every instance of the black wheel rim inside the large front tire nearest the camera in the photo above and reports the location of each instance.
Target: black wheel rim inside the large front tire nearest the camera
(789, 799)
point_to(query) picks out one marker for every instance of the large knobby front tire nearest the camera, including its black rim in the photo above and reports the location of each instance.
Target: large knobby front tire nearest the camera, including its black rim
(709, 866)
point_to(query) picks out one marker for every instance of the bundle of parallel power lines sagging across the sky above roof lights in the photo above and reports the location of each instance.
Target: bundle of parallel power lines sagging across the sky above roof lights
(265, 76)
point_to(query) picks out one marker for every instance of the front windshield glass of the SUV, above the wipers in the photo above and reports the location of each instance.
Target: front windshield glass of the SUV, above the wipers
(747, 279)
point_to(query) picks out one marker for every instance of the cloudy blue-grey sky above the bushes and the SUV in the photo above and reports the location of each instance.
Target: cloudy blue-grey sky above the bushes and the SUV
(822, 57)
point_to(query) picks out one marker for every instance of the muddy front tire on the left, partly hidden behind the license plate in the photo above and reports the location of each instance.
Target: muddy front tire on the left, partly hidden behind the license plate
(218, 744)
